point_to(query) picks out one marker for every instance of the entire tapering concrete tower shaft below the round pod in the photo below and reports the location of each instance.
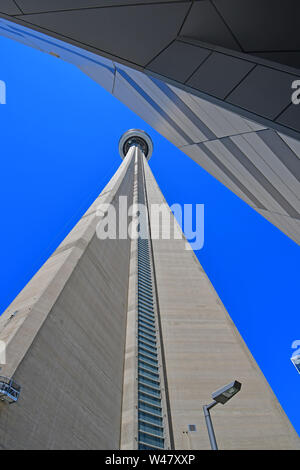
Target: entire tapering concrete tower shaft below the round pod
(117, 343)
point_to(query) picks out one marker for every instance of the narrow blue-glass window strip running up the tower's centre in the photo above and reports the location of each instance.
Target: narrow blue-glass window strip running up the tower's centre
(150, 414)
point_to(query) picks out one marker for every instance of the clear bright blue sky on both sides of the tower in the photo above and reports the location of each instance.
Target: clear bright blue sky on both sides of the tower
(59, 147)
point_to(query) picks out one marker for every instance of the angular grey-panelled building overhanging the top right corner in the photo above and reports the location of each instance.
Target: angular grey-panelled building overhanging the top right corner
(206, 81)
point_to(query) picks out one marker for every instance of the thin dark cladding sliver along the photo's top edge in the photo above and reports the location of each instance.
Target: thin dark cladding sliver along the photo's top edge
(42, 6)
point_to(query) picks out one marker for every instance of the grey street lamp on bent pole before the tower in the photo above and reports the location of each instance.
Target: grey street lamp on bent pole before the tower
(220, 396)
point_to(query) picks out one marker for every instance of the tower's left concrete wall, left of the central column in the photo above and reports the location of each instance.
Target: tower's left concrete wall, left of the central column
(65, 344)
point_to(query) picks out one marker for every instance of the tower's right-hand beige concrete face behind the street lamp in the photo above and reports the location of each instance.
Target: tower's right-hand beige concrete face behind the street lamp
(203, 352)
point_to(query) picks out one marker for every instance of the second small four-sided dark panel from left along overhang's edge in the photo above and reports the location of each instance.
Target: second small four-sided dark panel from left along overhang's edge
(220, 74)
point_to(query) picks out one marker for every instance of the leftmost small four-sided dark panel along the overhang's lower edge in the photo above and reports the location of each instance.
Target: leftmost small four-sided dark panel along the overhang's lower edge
(179, 61)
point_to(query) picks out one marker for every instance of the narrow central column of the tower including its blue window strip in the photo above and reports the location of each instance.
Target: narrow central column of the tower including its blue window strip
(145, 413)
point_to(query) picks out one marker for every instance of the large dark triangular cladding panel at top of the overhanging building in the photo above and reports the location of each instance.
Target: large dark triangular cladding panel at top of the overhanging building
(125, 32)
